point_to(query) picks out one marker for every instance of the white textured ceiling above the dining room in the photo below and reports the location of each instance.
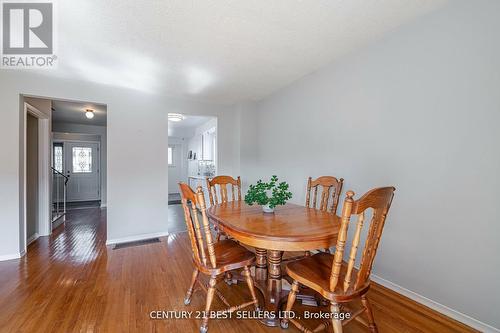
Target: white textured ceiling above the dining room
(224, 51)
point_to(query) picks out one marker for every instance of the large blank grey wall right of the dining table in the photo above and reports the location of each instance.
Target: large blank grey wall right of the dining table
(419, 110)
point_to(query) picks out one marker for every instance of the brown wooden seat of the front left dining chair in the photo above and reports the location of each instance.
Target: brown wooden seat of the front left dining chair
(230, 255)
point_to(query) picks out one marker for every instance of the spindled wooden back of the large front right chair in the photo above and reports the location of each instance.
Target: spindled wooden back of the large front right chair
(379, 201)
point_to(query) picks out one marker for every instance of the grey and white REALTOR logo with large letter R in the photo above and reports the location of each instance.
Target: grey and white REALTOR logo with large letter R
(27, 35)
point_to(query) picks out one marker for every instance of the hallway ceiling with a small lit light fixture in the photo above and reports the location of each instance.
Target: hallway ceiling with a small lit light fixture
(74, 112)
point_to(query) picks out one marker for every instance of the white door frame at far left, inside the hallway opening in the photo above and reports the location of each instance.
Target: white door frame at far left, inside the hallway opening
(44, 163)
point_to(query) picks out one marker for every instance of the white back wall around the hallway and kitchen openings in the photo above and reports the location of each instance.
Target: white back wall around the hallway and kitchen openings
(137, 151)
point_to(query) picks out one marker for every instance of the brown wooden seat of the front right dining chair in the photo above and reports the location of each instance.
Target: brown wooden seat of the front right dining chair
(315, 271)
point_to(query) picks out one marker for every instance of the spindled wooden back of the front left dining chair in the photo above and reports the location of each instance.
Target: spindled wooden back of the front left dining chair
(199, 232)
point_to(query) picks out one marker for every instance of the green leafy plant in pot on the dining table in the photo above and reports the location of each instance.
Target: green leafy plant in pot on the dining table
(268, 195)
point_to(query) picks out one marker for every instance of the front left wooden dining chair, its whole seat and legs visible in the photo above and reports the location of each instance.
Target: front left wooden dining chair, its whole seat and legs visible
(210, 258)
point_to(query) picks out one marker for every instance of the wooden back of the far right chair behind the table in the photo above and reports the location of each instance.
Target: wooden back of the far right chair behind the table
(328, 185)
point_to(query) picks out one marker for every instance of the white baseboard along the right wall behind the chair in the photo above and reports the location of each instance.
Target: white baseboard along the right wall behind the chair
(463, 318)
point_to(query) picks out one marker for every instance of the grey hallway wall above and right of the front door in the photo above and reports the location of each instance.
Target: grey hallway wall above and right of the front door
(66, 131)
